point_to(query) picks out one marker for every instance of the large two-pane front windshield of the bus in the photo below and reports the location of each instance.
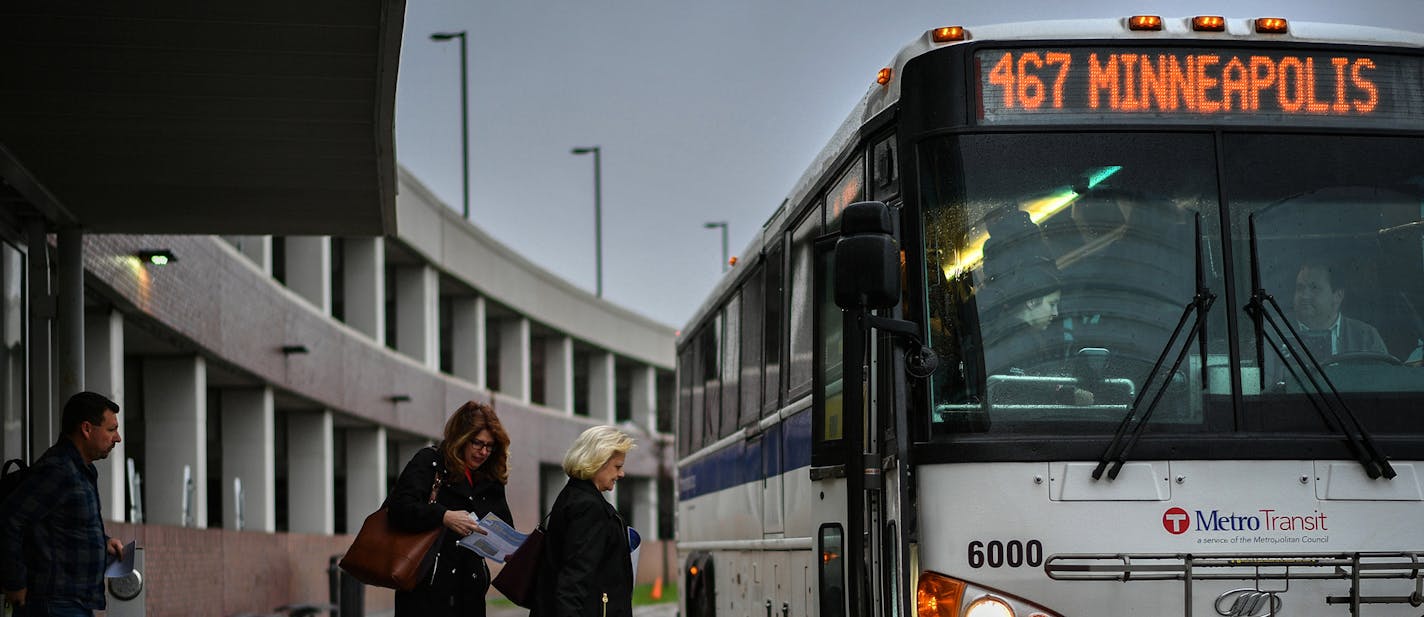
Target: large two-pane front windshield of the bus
(1060, 266)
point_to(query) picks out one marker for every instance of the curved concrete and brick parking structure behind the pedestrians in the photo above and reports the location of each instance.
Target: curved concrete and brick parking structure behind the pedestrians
(226, 317)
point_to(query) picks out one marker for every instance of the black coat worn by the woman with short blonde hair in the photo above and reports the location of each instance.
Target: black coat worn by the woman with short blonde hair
(586, 556)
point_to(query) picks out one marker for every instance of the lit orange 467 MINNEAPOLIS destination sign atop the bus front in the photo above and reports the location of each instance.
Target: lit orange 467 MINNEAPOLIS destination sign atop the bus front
(1191, 86)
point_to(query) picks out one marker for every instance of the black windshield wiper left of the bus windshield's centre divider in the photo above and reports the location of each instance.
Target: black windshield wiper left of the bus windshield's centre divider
(1197, 308)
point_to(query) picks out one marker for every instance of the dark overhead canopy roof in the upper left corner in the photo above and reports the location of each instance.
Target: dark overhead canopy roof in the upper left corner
(200, 118)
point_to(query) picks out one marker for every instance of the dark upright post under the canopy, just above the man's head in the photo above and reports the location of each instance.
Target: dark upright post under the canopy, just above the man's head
(69, 333)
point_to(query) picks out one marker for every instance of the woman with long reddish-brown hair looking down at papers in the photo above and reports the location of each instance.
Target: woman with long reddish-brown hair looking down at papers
(472, 468)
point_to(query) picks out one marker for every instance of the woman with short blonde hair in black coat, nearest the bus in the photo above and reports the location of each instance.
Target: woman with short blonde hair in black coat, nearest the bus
(586, 568)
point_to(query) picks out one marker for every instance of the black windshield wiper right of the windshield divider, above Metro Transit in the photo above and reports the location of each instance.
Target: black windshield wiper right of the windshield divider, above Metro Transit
(1332, 408)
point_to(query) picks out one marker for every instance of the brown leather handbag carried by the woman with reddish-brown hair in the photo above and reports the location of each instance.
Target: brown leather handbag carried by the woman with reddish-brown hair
(385, 556)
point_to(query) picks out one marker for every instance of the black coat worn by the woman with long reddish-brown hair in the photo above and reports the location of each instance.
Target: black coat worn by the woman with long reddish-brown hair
(459, 578)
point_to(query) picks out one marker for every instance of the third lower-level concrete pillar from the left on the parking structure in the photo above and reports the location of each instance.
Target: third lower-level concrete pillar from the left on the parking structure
(250, 454)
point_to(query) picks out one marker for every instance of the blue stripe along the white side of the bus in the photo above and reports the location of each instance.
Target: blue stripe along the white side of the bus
(743, 462)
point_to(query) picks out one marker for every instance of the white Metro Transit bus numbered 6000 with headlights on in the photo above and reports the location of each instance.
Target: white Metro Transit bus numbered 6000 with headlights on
(1079, 318)
